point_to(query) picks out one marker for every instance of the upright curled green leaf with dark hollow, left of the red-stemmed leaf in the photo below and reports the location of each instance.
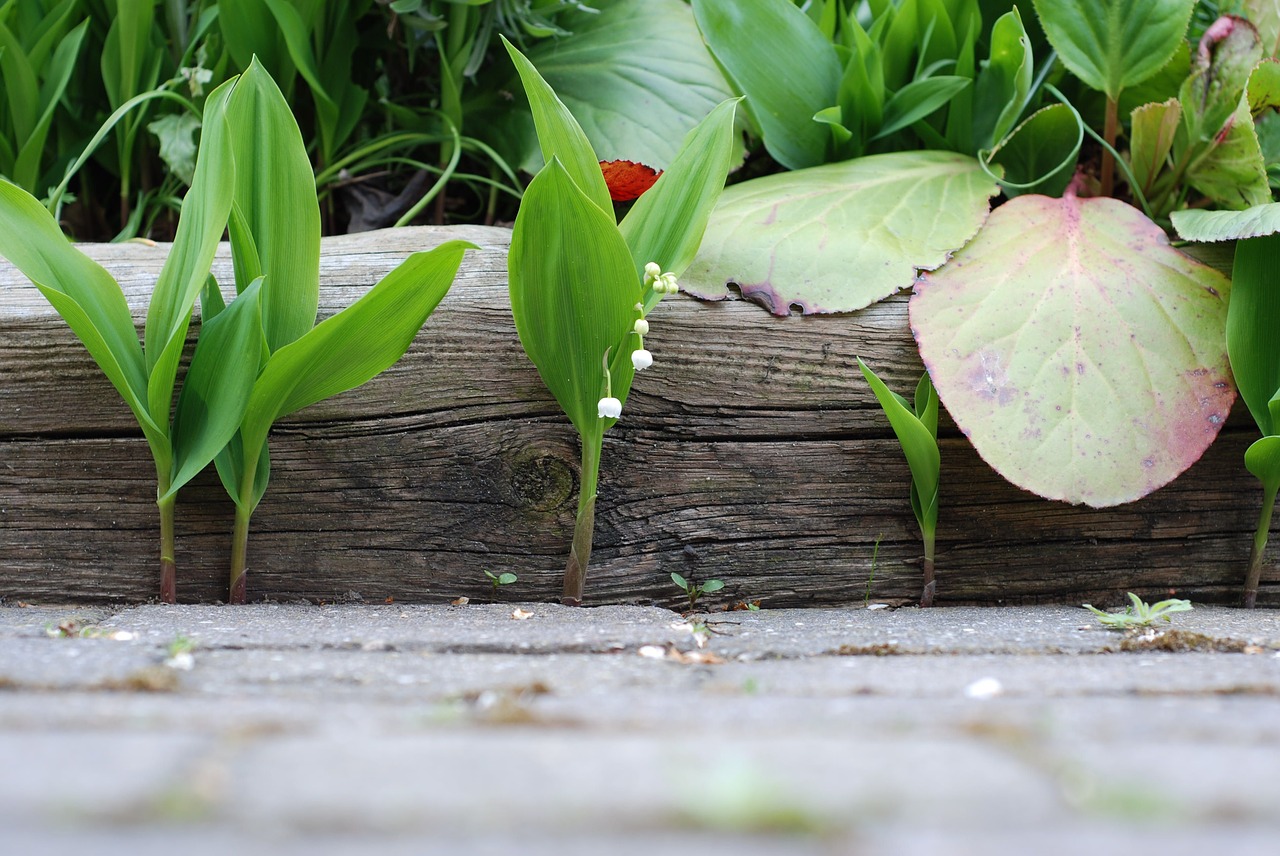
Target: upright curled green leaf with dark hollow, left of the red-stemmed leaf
(1005, 83)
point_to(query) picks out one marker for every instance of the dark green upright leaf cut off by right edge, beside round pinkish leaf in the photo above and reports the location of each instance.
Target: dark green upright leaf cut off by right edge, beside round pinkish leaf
(1254, 326)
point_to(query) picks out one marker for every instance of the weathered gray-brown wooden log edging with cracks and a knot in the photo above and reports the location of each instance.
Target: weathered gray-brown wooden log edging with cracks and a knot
(752, 452)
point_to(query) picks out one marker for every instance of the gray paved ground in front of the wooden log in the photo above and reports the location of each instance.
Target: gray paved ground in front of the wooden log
(536, 729)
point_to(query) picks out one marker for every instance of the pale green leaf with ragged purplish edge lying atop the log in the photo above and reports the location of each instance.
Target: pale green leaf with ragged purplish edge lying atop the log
(840, 237)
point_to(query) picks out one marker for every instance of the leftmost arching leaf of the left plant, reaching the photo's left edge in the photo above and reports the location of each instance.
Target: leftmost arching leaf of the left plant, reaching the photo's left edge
(83, 292)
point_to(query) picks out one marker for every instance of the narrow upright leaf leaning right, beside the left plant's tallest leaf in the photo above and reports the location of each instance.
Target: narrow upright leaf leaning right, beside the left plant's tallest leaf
(186, 269)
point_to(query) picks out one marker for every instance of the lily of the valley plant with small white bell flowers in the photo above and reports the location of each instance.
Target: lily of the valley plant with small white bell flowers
(582, 285)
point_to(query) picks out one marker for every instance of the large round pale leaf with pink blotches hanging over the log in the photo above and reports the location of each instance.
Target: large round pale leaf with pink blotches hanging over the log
(1084, 356)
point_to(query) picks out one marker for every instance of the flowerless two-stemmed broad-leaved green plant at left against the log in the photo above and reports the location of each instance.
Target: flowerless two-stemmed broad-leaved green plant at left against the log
(263, 356)
